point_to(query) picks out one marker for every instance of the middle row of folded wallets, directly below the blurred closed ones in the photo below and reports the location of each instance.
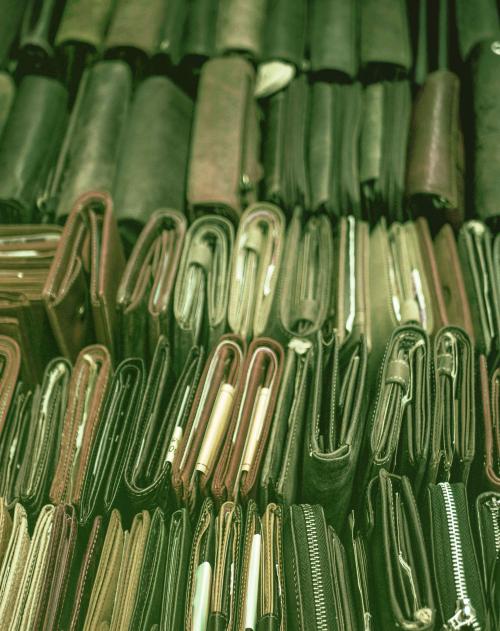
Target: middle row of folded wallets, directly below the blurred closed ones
(68, 288)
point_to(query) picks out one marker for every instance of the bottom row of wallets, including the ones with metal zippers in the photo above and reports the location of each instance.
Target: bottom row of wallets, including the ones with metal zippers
(395, 566)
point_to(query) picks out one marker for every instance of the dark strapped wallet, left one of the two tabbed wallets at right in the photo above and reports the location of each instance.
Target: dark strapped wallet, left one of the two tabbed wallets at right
(398, 436)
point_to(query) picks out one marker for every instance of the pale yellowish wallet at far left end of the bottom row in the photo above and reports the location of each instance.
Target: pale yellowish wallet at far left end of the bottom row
(13, 564)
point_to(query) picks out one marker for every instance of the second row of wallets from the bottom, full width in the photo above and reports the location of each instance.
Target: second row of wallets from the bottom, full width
(307, 422)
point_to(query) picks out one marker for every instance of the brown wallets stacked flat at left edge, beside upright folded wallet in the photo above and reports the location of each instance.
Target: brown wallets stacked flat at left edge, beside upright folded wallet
(26, 255)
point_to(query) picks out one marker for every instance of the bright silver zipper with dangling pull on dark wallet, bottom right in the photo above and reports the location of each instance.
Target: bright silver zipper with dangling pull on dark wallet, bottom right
(465, 614)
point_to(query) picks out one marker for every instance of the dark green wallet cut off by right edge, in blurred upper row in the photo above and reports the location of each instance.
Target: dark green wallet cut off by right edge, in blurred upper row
(485, 63)
